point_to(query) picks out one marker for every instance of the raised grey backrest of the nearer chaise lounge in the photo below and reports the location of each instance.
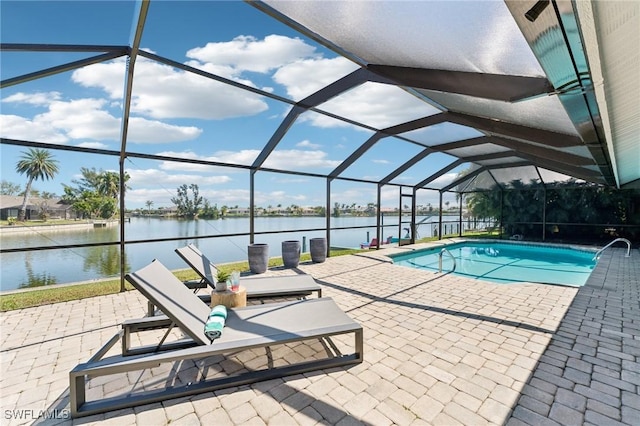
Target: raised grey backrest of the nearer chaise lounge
(173, 298)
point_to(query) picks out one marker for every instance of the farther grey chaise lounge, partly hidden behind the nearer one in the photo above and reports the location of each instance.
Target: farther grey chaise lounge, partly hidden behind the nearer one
(258, 287)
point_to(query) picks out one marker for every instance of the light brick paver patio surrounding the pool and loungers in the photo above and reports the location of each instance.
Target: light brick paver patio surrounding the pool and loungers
(439, 349)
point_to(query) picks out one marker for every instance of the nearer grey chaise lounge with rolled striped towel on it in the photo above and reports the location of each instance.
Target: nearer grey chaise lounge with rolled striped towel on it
(251, 327)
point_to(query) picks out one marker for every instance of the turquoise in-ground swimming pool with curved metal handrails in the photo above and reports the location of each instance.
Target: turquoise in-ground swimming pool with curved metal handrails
(505, 262)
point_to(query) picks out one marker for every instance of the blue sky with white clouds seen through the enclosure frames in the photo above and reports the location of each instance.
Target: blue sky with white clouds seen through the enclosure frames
(184, 115)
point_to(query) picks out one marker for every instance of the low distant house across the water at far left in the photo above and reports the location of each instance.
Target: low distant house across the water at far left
(10, 205)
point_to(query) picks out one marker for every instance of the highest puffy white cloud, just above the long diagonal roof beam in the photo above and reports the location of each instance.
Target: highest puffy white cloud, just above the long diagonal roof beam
(247, 53)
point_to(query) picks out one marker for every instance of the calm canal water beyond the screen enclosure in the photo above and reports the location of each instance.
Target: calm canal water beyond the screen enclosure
(48, 267)
